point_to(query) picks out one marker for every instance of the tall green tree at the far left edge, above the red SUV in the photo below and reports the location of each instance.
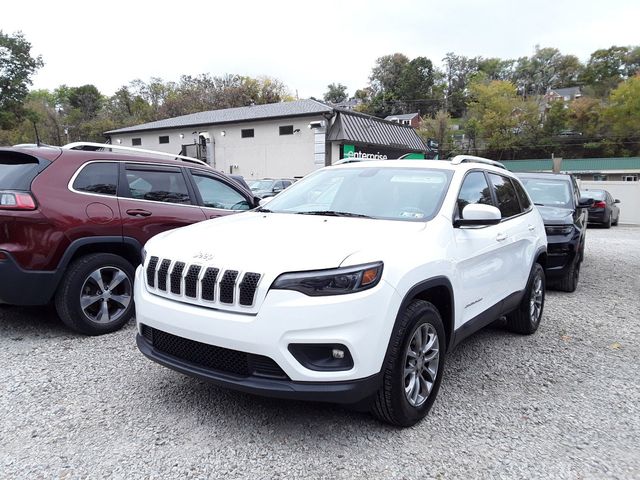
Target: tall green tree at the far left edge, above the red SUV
(16, 68)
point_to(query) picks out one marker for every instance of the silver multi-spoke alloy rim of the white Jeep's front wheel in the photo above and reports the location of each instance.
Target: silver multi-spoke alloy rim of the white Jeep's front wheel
(422, 357)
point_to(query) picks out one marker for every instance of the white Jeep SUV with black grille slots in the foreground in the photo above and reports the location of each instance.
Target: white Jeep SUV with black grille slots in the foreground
(349, 286)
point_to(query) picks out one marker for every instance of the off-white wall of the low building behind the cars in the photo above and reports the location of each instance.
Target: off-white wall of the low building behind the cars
(267, 154)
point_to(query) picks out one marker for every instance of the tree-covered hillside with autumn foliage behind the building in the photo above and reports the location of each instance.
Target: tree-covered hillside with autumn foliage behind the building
(500, 108)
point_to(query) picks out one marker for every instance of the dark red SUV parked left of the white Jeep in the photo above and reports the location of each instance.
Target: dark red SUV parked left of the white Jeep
(73, 223)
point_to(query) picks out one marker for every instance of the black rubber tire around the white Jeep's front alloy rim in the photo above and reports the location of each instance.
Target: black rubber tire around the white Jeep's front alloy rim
(391, 404)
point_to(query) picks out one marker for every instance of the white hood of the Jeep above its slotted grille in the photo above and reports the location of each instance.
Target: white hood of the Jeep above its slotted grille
(277, 242)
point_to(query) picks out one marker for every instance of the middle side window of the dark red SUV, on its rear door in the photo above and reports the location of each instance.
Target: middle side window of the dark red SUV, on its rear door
(158, 185)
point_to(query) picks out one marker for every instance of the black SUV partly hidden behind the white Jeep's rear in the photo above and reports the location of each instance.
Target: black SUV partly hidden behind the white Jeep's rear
(563, 209)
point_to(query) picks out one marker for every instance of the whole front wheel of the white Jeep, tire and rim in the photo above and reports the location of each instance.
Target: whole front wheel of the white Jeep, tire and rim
(413, 370)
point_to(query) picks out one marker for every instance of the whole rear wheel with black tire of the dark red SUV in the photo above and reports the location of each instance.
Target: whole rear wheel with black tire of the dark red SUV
(78, 283)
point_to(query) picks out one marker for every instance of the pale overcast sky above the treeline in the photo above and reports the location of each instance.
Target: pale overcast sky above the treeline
(305, 44)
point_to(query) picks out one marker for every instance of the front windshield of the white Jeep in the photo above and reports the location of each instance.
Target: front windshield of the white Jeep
(388, 193)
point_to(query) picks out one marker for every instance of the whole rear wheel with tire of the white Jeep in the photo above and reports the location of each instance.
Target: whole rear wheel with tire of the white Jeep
(526, 319)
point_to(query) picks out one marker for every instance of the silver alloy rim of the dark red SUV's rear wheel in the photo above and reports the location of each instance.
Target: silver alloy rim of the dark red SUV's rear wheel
(106, 294)
